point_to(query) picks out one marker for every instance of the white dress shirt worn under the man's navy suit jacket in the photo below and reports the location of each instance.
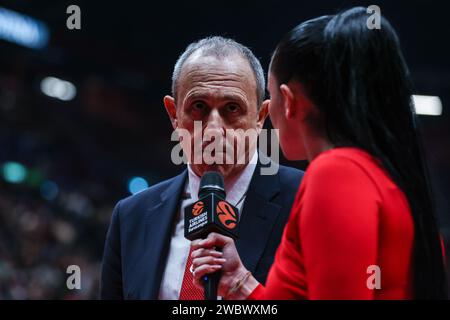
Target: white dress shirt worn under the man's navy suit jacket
(179, 246)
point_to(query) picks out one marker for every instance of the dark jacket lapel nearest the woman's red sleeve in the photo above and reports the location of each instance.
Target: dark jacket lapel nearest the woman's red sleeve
(257, 218)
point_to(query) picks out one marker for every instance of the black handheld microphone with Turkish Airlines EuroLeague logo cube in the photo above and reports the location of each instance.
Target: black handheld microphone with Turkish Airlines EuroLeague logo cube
(211, 213)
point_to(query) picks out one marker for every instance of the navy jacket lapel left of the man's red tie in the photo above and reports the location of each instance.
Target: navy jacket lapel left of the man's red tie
(158, 230)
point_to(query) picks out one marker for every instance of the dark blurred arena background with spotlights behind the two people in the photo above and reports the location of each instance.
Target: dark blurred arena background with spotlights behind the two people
(82, 123)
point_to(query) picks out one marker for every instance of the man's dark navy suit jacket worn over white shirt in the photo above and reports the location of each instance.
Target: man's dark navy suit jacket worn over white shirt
(139, 235)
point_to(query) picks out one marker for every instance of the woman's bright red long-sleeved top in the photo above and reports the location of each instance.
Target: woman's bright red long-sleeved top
(348, 216)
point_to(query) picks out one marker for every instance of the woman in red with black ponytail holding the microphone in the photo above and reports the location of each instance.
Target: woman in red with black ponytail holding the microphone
(362, 225)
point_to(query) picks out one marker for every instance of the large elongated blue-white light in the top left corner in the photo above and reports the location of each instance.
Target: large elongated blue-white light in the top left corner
(22, 29)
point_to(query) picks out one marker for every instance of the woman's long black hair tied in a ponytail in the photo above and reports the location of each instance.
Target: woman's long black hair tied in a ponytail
(358, 79)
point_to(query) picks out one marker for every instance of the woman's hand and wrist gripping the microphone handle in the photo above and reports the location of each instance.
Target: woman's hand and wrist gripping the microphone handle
(206, 259)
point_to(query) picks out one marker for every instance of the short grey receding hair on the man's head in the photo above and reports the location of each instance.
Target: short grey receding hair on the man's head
(221, 48)
